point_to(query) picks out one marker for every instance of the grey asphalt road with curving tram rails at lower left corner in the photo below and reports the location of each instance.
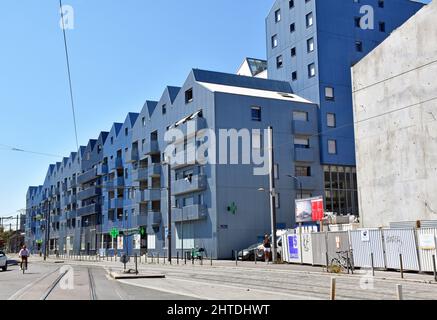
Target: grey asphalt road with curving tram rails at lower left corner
(50, 281)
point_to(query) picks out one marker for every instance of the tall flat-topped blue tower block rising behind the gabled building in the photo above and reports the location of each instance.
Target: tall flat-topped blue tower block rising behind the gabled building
(312, 44)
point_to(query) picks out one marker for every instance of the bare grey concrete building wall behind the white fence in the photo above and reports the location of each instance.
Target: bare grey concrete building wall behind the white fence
(395, 115)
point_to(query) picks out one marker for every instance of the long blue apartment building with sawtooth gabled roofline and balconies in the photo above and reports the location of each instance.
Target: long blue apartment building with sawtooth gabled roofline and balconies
(119, 180)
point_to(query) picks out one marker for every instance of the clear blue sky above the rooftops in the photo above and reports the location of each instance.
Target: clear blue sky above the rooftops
(122, 53)
